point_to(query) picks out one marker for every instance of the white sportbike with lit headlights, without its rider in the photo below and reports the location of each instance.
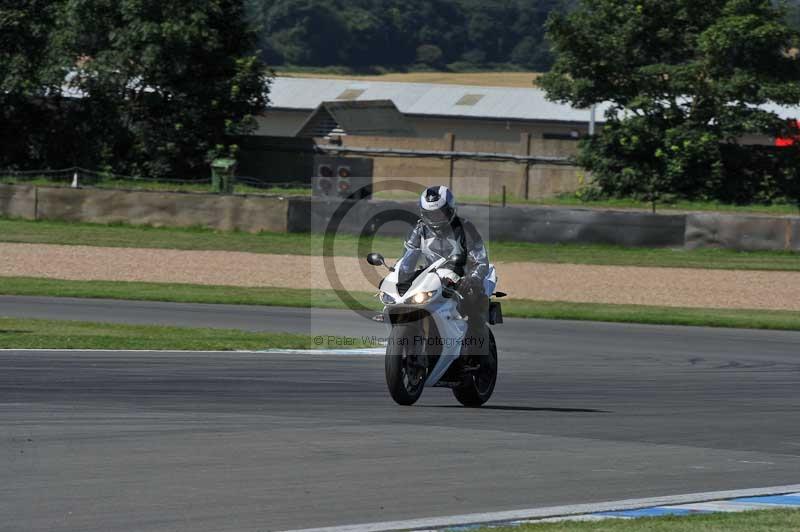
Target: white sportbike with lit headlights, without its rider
(428, 343)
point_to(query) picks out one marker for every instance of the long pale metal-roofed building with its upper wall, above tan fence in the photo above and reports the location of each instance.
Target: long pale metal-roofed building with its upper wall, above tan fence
(430, 110)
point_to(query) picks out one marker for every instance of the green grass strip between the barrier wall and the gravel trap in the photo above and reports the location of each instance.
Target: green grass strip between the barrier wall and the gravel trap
(347, 245)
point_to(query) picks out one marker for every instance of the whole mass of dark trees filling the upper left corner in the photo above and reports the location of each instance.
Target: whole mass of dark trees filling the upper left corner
(163, 84)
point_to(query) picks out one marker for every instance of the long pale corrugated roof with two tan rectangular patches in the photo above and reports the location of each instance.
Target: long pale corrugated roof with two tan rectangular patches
(429, 99)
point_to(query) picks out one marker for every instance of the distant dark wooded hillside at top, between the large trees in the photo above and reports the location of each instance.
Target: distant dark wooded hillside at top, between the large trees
(432, 34)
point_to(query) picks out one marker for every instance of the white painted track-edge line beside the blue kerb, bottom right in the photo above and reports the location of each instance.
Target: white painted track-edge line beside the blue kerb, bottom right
(435, 523)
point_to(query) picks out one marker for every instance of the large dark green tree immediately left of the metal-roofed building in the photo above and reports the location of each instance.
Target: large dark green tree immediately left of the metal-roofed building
(165, 84)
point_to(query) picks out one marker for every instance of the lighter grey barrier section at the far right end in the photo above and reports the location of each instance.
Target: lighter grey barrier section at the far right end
(747, 233)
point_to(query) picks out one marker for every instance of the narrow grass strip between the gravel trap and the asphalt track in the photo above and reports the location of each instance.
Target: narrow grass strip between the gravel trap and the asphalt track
(187, 293)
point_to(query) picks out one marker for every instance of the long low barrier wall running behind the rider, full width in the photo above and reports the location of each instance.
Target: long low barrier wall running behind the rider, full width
(521, 224)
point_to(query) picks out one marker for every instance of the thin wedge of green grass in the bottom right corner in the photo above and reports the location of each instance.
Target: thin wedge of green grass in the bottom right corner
(758, 521)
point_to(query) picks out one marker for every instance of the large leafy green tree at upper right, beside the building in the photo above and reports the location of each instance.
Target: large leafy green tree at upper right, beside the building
(686, 81)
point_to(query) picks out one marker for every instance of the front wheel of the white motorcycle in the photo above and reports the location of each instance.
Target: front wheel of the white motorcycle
(406, 364)
